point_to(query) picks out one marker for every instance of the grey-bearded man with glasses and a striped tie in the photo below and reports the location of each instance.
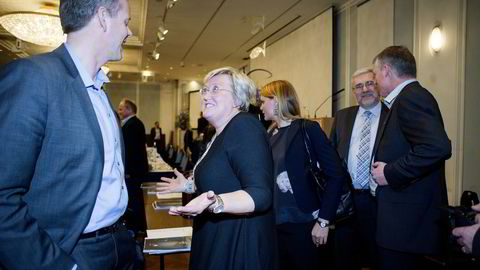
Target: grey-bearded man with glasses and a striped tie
(354, 133)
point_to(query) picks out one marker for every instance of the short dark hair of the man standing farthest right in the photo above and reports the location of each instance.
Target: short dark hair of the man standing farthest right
(400, 58)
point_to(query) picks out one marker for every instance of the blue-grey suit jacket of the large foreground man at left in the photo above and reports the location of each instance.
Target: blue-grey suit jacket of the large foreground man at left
(52, 163)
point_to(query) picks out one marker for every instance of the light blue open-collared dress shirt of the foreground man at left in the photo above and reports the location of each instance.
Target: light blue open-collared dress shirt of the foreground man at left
(112, 197)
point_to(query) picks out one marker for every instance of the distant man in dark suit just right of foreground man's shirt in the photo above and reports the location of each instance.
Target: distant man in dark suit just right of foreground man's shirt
(136, 163)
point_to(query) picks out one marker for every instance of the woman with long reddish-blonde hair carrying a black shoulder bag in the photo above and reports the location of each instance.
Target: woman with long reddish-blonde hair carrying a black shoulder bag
(302, 221)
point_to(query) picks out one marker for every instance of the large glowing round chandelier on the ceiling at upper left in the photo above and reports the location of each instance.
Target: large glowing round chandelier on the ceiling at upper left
(41, 27)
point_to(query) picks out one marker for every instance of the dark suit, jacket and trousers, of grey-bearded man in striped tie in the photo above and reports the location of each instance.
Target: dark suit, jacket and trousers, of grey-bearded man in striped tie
(365, 217)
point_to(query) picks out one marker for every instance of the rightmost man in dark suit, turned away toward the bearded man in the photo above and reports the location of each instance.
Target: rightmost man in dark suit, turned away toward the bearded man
(409, 165)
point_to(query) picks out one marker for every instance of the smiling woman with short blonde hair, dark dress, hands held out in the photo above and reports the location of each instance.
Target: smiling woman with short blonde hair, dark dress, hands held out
(234, 226)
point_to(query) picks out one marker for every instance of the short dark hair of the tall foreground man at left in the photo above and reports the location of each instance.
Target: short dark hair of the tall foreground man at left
(75, 14)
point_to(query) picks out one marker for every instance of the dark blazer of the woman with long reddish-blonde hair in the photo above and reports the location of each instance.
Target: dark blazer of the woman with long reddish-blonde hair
(296, 160)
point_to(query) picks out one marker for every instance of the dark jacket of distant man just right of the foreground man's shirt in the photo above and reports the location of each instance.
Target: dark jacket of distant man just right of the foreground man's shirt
(136, 162)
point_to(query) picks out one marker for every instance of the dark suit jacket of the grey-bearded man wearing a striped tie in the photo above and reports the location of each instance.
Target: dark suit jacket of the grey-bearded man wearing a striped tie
(342, 130)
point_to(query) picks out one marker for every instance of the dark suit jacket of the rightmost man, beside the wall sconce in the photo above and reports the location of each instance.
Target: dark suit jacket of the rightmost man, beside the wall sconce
(415, 146)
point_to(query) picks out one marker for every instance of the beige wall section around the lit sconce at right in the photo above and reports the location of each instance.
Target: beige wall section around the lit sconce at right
(440, 73)
